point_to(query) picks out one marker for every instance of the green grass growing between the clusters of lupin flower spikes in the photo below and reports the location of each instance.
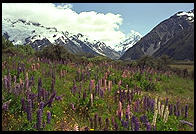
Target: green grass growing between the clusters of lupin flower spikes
(64, 118)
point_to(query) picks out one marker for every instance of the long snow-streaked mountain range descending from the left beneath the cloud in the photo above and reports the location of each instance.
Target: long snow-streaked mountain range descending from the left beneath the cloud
(21, 31)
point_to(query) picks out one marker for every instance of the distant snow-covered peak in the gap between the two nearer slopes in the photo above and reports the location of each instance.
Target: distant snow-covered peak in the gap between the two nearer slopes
(132, 38)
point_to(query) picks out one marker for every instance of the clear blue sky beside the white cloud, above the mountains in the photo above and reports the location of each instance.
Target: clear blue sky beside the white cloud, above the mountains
(141, 17)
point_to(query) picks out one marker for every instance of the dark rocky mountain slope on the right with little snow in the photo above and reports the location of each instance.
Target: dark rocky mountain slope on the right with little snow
(173, 37)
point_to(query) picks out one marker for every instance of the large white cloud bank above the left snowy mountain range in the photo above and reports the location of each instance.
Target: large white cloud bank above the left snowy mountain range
(98, 26)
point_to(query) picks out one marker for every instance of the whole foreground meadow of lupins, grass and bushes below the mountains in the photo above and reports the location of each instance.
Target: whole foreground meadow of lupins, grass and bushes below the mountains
(55, 90)
